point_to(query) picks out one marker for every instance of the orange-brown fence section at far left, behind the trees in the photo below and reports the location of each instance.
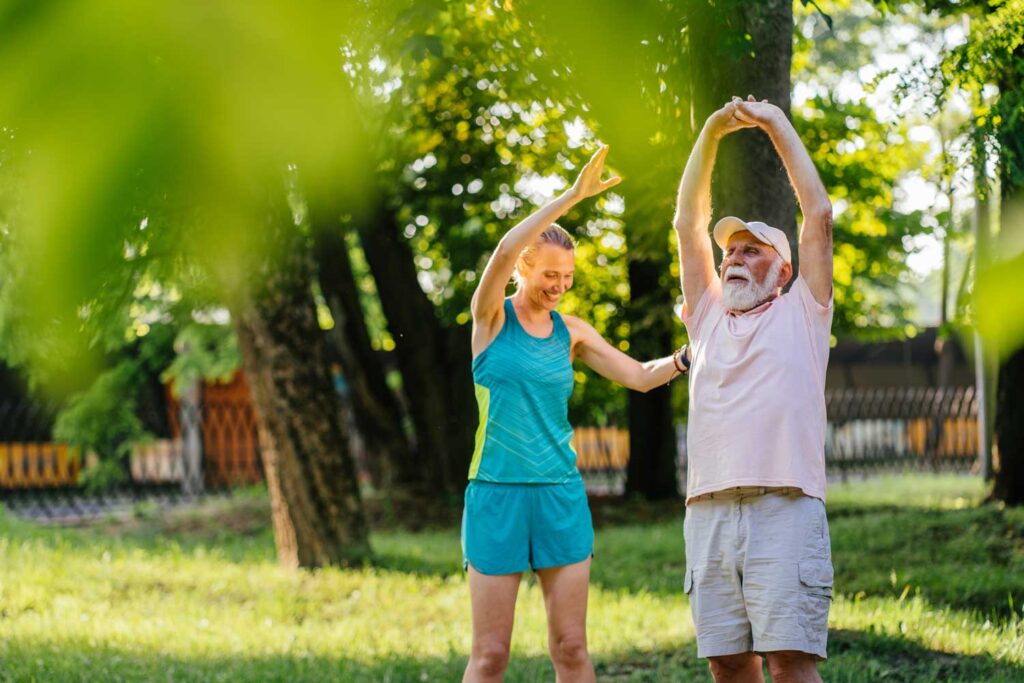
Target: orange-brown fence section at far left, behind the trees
(209, 447)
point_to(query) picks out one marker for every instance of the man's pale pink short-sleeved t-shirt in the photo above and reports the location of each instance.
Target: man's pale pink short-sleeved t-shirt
(757, 394)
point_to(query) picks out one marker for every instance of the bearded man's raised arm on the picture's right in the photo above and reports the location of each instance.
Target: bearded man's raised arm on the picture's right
(816, 234)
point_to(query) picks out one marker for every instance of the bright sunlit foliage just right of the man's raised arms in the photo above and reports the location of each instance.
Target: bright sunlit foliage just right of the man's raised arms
(865, 157)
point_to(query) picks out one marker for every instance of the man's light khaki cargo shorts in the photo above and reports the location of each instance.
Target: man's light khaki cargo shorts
(759, 572)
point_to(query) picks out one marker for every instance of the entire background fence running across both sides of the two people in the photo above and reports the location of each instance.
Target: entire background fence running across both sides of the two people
(211, 445)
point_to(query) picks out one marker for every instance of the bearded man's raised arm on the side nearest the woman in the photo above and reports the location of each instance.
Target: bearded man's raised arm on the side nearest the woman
(694, 206)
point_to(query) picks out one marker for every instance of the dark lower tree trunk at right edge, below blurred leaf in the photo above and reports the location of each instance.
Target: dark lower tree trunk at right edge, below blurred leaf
(1009, 486)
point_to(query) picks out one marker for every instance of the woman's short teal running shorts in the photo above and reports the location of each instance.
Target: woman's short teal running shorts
(511, 528)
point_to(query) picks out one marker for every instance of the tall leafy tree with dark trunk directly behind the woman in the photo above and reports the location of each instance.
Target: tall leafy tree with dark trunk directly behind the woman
(461, 117)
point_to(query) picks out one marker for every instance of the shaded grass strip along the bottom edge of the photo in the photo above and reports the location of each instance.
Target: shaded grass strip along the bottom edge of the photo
(856, 657)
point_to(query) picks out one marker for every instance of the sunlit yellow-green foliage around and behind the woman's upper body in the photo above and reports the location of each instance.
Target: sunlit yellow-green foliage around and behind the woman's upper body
(475, 141)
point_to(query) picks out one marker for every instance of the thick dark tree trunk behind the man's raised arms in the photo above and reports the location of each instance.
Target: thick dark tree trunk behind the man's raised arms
(750, 180)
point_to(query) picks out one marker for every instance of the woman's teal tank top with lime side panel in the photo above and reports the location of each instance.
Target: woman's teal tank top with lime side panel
(524, 386)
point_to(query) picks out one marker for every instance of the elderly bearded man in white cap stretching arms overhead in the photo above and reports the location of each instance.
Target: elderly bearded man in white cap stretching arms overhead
(758, 561)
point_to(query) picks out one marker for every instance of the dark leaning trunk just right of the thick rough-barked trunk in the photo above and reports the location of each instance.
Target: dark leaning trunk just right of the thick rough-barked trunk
(377, 413)
